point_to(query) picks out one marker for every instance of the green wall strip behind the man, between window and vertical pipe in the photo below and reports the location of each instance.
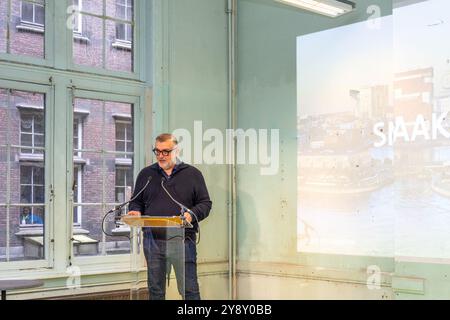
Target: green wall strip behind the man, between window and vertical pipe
(191, 82)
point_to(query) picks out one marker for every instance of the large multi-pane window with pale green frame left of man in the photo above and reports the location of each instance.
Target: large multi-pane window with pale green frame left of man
(52, 197)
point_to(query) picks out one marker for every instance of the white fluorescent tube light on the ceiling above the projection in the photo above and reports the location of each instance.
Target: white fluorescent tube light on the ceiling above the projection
(331, 8)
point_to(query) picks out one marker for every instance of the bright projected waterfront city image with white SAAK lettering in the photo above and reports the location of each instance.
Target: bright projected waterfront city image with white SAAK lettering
(373, 179)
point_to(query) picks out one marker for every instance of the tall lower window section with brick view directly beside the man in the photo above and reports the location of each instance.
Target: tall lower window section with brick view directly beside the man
(103, 170)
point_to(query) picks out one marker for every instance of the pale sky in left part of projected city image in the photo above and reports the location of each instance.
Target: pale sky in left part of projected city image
(333, 61)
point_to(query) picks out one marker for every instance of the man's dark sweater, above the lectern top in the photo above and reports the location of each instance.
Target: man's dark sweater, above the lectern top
(186, 185)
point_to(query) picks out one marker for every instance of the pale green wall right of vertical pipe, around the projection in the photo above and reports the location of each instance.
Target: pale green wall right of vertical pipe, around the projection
(267, 205)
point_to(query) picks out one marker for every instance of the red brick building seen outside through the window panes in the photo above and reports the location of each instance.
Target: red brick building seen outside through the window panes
(102, 130)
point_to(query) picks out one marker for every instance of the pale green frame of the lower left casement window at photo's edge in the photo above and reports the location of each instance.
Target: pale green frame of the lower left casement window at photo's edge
(48, 230)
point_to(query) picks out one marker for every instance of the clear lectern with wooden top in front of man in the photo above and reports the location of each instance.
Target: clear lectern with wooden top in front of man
(173, 244)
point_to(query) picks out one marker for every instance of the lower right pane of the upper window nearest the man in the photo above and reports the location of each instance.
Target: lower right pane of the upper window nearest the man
(119, 48)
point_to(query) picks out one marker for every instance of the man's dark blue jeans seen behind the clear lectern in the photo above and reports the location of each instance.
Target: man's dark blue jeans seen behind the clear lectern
(160, 256)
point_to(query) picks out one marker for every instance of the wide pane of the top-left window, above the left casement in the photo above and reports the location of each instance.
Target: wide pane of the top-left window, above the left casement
(26, 35)
